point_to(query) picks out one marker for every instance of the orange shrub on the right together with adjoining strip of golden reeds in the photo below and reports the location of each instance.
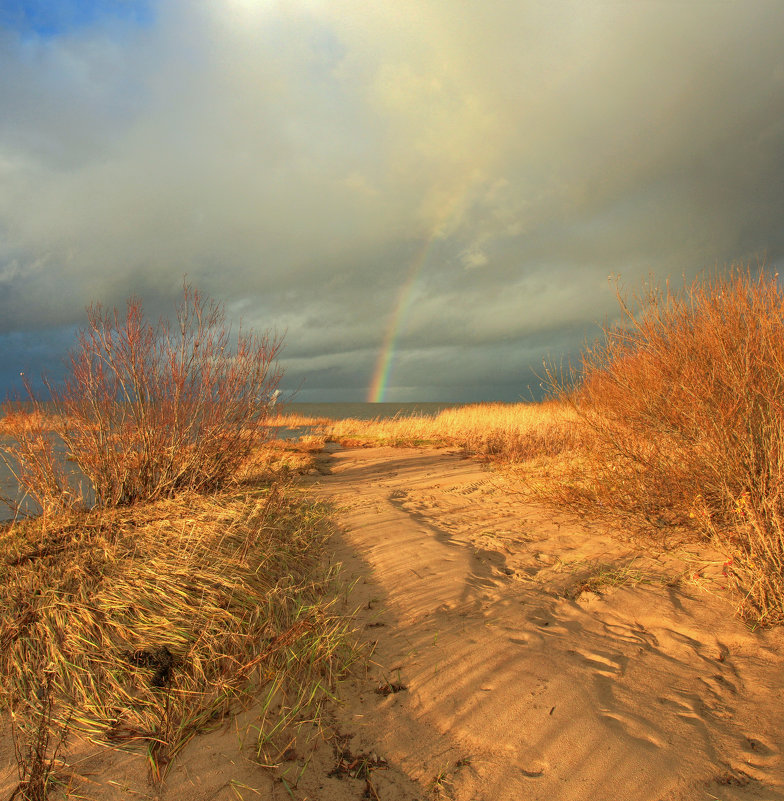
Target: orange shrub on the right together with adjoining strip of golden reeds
(671, 424)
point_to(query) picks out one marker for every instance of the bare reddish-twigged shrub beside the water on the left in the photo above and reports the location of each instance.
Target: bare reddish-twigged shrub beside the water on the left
(146, 410)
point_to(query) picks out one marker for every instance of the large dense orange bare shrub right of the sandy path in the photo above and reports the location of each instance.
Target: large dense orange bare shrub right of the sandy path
(686, 406)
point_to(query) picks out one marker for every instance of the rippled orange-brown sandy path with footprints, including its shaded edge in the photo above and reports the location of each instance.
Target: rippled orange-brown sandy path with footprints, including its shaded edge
(518, 653)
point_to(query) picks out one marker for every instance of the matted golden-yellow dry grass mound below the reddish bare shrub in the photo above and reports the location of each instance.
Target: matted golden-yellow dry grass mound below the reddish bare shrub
(152, 624)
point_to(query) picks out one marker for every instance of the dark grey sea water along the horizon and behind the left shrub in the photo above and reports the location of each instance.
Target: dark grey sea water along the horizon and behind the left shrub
(335, 411)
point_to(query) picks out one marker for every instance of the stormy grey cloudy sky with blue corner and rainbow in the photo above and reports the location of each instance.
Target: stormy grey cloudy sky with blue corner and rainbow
(427, 198)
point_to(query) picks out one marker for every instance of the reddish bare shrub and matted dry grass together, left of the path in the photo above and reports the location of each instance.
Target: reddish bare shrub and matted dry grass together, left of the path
(189, 581)
